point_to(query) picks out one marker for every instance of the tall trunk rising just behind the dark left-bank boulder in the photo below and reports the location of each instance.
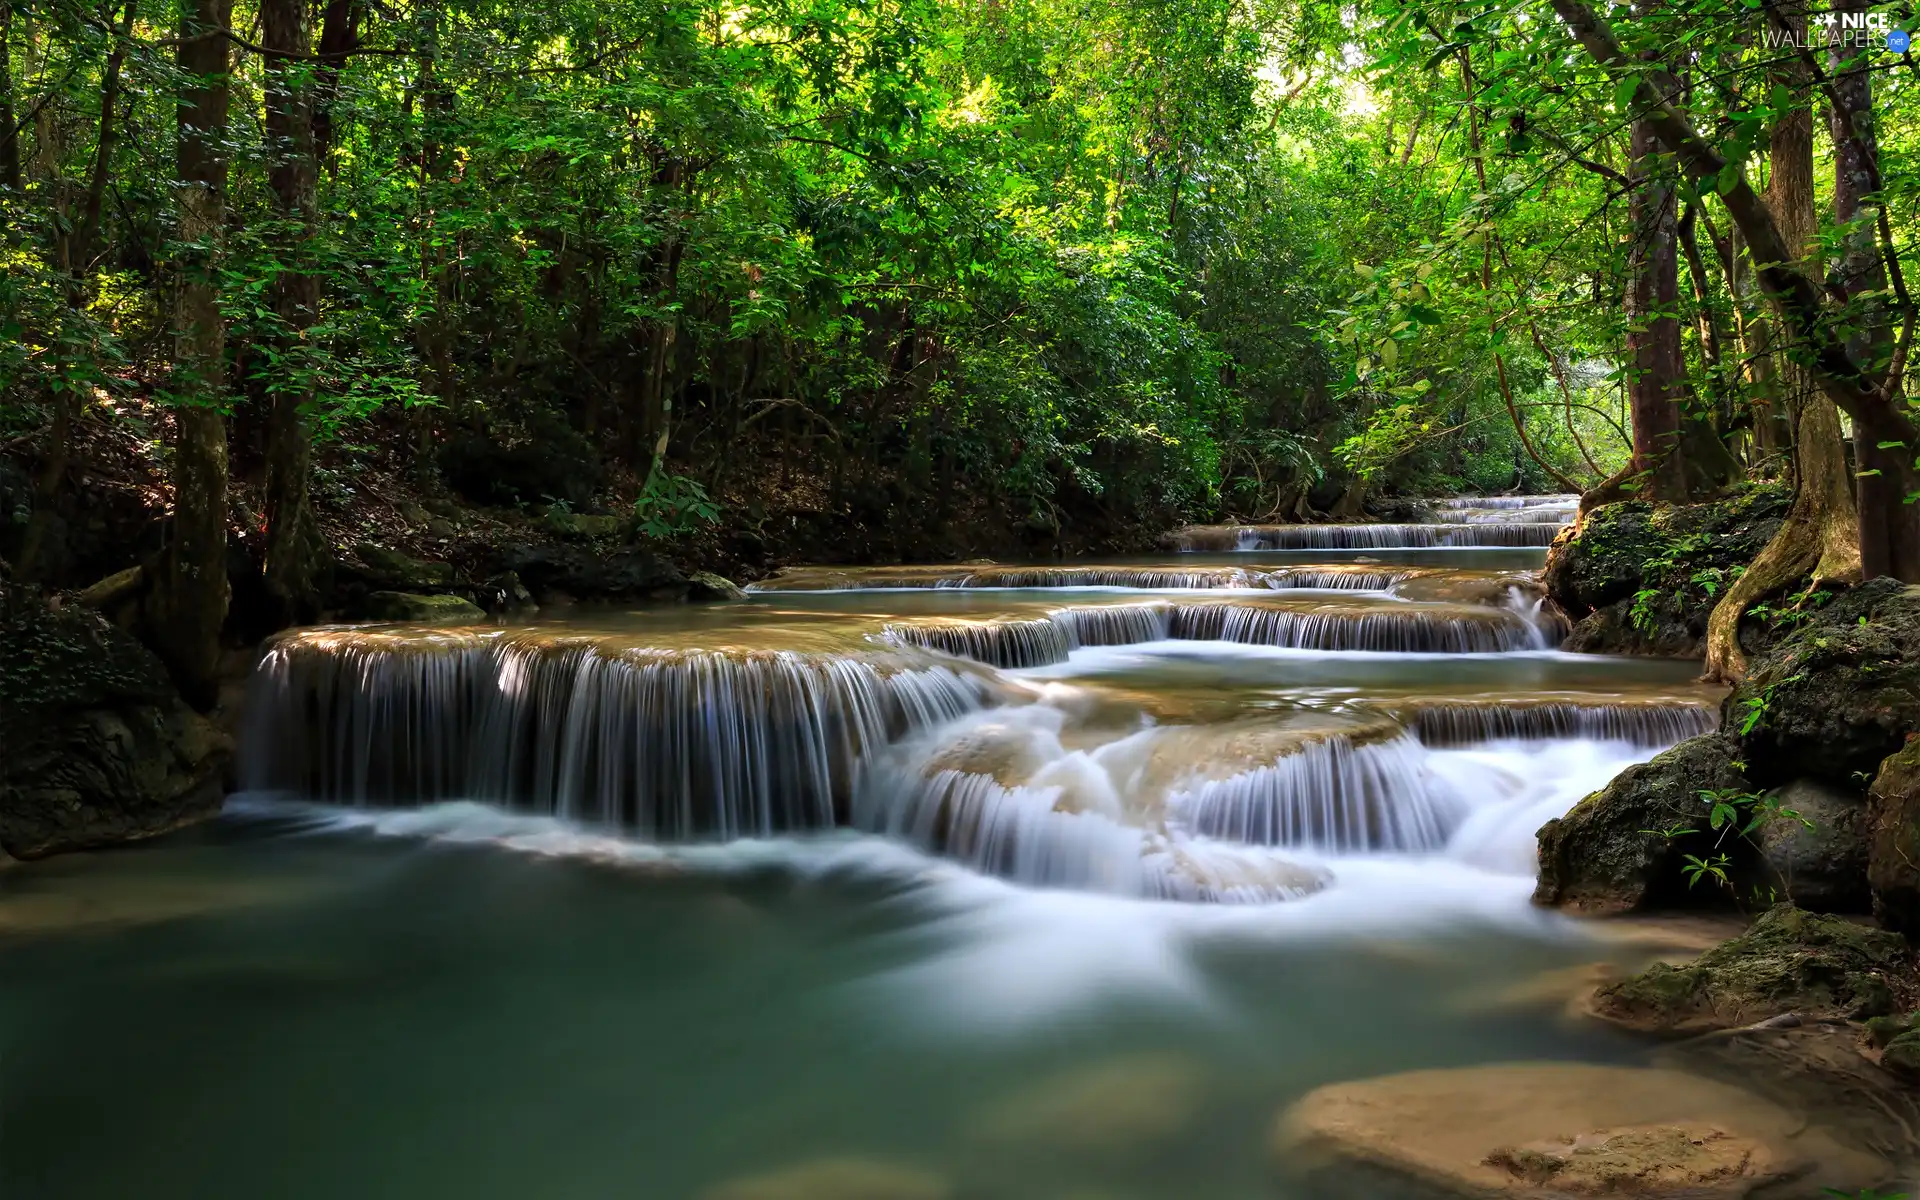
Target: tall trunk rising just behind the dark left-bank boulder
(191, 602)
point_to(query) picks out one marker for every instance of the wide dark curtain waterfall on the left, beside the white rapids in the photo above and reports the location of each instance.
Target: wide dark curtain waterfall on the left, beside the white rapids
(667, 744)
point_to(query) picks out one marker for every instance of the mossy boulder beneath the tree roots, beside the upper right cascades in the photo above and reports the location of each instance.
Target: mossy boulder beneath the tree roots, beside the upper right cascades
(1643, 581)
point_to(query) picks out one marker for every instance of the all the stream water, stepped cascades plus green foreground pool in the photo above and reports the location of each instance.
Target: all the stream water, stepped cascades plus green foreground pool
(961, 882)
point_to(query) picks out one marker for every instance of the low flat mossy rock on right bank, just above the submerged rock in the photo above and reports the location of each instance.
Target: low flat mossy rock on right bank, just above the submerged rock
(1788, 961)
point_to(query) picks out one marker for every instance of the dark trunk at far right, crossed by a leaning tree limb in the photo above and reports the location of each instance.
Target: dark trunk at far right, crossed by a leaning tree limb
(1890, 527)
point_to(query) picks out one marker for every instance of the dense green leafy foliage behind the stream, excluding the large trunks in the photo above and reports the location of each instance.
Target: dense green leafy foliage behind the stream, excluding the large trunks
(1022, 258)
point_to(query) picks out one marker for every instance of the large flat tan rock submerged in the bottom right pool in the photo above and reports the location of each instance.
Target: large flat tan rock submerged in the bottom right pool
(1552, 1132)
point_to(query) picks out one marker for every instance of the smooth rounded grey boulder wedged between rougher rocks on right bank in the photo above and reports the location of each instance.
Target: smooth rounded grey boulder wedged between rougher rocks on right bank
(1817, 857)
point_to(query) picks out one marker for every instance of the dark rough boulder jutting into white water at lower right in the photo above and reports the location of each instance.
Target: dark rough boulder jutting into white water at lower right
(1625, 848)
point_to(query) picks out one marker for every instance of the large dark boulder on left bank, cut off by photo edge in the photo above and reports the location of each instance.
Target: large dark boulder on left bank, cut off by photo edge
(99, 744)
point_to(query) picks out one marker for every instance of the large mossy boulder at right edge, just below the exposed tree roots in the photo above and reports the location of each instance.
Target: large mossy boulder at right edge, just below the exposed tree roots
(1838, 696)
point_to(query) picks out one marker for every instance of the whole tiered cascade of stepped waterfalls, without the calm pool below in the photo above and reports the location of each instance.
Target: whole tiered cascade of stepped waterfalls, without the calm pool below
(917, 706)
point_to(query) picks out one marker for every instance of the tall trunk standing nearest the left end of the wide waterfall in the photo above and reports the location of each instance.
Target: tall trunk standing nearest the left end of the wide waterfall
(293, 544)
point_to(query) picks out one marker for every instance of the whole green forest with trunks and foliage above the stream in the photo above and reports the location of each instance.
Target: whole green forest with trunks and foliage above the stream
(896, 279)
